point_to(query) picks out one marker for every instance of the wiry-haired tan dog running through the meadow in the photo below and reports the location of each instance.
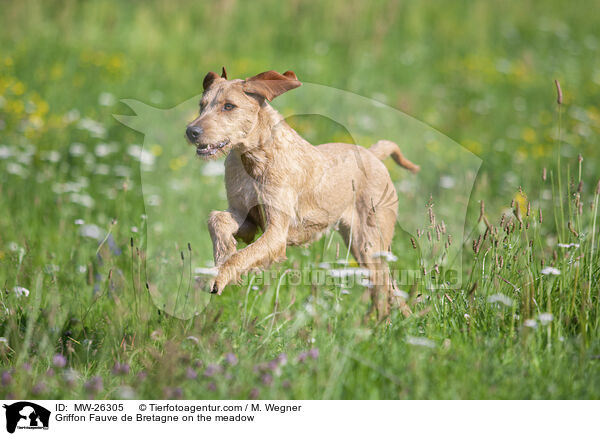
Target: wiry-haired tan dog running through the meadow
(291, 190)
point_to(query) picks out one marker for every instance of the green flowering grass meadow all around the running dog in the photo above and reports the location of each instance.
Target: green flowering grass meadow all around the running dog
(96, 178)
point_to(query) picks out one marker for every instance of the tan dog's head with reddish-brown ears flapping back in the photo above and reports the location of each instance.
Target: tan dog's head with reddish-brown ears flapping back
(229, 109)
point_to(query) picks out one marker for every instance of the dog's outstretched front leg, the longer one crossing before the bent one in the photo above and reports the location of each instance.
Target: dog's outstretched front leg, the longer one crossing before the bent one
(269, 248)
